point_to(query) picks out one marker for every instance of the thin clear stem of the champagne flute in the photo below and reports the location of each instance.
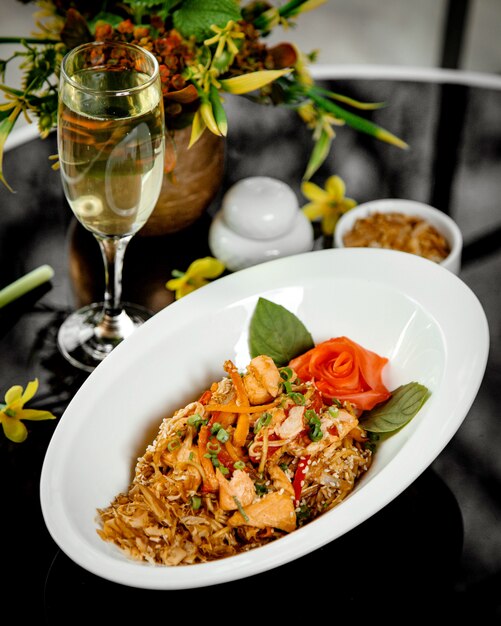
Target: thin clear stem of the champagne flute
(116, 324)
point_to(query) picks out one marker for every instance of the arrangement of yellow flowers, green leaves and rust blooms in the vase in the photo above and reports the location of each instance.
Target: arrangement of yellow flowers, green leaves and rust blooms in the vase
(204, 50)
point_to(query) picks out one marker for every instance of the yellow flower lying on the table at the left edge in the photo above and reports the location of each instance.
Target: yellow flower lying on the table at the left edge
(13, 411)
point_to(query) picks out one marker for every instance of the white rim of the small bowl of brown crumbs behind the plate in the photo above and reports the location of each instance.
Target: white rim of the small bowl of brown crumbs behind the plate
(444, 224)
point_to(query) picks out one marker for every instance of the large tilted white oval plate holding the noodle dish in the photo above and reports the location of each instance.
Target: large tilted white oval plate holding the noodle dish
(422, 317)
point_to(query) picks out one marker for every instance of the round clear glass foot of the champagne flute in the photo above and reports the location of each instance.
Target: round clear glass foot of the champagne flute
(87, 336)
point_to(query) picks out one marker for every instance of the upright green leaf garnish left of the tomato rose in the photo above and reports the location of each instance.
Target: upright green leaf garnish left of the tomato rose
(277, 332)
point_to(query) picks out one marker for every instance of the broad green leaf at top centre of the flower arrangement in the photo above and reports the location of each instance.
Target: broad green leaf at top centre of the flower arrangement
(195, 17)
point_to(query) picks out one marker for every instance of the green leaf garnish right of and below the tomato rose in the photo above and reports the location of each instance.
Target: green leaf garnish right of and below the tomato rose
(403, 405)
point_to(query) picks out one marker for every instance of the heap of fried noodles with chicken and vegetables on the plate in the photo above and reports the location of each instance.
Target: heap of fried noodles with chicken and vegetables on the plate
(216, 483)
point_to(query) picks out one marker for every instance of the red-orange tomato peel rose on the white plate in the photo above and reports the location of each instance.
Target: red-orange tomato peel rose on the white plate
(342, 369)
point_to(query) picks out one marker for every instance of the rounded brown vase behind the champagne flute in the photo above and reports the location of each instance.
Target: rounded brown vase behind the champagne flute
(192, 182)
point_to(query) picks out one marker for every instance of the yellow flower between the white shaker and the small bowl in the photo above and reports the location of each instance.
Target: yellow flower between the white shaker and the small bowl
(326, 204)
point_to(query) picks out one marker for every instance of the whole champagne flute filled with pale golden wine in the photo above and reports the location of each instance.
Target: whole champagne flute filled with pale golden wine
(110, 132)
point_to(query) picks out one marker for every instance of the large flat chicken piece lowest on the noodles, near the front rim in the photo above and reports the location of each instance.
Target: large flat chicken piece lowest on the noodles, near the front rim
(275, 510)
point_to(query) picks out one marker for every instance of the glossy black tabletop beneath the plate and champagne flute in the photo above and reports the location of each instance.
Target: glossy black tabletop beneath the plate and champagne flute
(433, 551)
